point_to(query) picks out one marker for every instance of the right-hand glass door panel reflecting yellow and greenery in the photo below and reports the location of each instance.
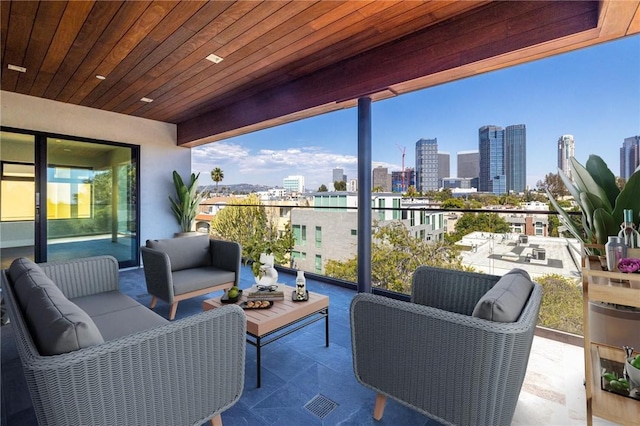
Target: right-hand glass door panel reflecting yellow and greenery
(91, 201)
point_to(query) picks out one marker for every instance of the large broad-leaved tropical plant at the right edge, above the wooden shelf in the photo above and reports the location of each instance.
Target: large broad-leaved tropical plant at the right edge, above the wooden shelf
(600, 200)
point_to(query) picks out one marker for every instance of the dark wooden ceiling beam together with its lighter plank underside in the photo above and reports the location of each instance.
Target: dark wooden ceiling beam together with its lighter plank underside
(490, 37)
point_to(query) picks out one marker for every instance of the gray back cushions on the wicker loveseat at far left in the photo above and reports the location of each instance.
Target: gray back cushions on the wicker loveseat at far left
(56, 325)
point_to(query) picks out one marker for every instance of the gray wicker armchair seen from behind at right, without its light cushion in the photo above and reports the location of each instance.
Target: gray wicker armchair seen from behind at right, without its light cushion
(432, 355)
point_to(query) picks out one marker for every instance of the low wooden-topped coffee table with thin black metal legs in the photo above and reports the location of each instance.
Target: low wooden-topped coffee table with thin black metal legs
(283, 318)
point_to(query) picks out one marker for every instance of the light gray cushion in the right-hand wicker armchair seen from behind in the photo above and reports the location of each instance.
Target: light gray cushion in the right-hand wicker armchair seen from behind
(505, 300)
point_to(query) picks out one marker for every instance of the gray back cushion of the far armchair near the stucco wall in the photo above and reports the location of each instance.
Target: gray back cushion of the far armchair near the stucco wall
(184, 252)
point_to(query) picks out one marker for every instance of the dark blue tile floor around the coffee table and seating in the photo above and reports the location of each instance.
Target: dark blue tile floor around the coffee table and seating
(295, 369)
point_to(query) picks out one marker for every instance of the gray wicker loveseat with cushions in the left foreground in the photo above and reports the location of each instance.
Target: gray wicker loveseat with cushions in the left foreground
(93, 356)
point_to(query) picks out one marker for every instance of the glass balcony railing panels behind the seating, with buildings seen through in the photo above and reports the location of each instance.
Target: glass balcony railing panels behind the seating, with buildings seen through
(326, 244)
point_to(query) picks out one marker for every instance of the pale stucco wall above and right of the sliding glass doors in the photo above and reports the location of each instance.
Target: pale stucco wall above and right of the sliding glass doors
(159, 154)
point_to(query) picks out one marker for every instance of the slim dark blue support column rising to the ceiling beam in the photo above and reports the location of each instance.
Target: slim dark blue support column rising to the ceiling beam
(364, 195)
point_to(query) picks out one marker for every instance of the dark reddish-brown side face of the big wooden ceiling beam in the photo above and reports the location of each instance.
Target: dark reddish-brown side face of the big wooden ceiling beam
(483, 33)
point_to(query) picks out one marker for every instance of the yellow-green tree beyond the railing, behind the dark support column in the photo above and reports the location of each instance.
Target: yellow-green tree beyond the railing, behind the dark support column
(395, 254)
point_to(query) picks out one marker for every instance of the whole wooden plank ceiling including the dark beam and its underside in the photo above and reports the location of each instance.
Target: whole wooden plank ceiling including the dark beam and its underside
(282, 60)
